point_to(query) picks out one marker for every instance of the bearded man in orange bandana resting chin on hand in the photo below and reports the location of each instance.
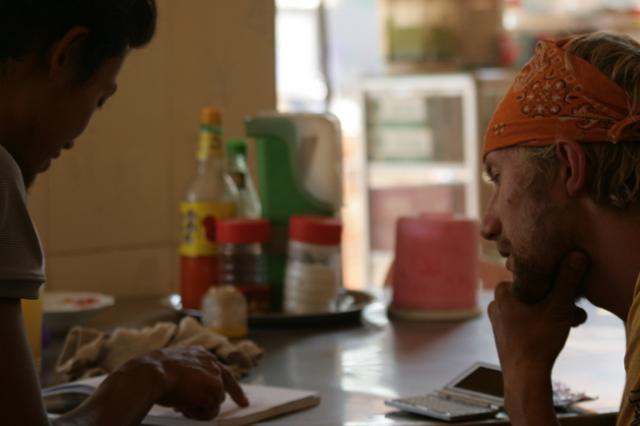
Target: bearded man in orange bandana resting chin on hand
(563, 153)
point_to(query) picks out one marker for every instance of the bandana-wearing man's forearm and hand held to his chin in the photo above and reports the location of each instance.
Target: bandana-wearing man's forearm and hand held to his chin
(529, 338)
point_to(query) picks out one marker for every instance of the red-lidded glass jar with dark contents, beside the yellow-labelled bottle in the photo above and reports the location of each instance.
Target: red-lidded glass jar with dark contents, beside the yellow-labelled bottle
(241, 260)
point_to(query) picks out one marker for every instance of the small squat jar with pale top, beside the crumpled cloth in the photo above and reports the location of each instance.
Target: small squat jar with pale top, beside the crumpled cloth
(224, 310)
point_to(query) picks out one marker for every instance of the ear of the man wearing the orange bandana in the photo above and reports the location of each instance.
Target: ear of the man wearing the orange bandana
(573, 166)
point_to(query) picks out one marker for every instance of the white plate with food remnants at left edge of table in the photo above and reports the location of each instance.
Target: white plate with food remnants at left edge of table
(65, 309)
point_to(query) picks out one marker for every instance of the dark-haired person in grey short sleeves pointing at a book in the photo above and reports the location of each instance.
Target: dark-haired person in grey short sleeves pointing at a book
(59, 62)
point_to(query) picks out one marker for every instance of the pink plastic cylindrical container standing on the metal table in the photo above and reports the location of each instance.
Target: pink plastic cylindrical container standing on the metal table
(435, 274)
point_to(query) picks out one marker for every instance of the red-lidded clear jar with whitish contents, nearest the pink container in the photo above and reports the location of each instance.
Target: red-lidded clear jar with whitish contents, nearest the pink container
(313, 278)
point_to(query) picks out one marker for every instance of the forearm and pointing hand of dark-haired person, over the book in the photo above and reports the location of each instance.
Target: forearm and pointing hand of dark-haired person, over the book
(190, 379)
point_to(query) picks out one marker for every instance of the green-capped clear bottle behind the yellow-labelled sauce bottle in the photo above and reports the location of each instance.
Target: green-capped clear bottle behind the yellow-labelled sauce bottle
(238, 171)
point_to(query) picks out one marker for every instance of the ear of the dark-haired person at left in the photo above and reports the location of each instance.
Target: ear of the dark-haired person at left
(66, 55)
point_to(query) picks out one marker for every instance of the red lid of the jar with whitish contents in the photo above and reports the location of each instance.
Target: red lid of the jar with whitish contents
(325, 231)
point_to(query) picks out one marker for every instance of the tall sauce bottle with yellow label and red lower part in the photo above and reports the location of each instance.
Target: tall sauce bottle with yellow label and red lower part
(207, 200)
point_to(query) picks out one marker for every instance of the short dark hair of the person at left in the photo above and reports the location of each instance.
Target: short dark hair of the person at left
(33, 26)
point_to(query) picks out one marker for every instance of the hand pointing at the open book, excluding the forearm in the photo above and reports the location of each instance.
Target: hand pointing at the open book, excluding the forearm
(192, 381)
